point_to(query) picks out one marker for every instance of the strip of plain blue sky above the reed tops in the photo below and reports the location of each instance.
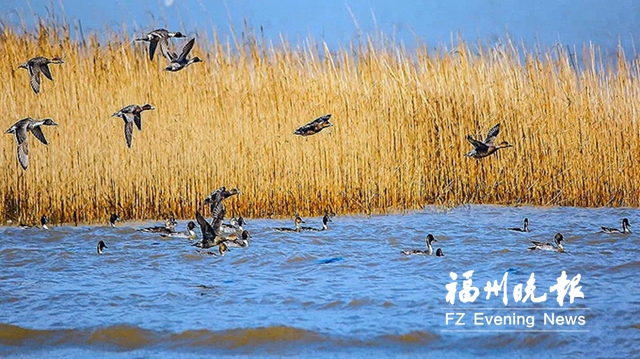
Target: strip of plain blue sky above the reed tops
(543, 22)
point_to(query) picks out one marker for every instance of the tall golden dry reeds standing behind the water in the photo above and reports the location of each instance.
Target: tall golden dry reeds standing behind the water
(401, 117)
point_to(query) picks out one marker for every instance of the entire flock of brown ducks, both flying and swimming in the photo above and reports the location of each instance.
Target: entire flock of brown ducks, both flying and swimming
(215, 233)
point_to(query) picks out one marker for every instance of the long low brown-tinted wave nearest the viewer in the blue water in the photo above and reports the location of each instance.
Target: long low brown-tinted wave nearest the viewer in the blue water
(126, 337)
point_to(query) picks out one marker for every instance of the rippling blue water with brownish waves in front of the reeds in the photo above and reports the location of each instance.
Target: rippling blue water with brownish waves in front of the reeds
(346, 291)
